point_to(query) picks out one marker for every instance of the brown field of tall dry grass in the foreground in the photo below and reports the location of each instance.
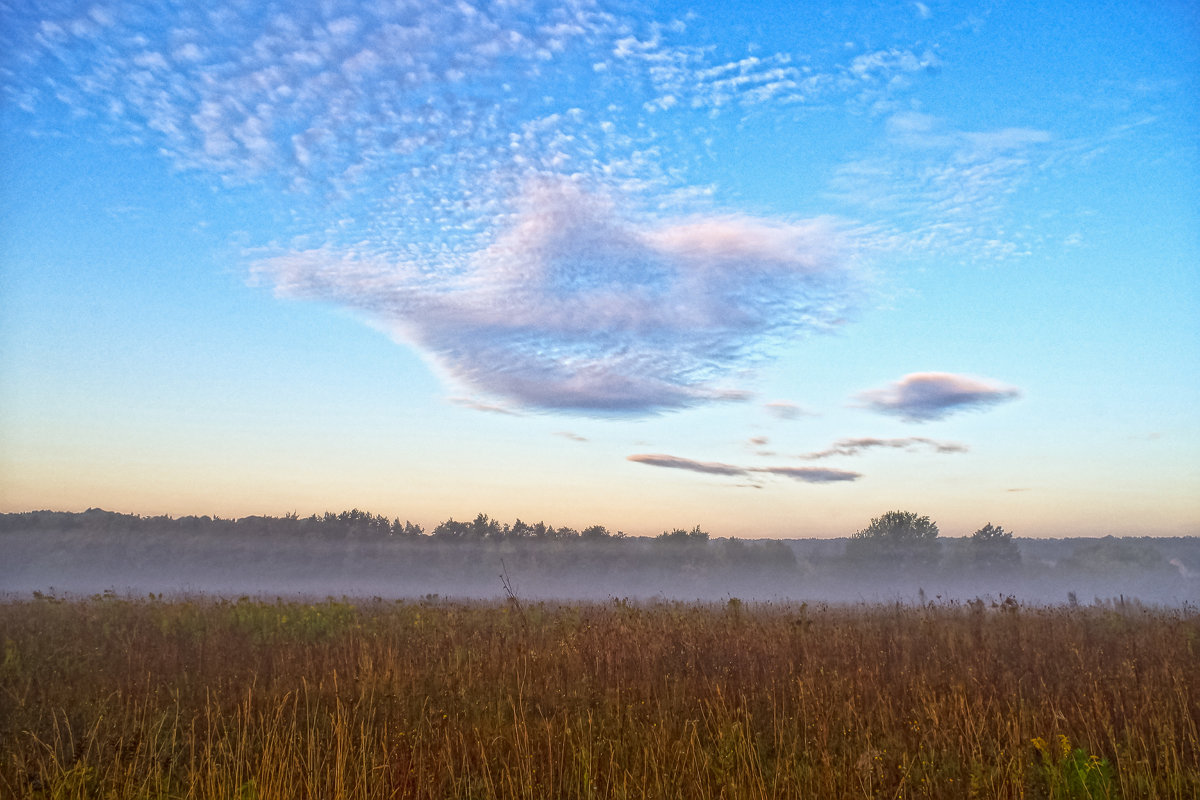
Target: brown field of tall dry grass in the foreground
(112, 697)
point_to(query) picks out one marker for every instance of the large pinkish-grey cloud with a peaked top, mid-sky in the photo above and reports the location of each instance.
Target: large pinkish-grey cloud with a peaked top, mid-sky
(578, 308)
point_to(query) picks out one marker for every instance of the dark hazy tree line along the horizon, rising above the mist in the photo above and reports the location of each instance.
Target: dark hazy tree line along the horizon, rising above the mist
(895, 543)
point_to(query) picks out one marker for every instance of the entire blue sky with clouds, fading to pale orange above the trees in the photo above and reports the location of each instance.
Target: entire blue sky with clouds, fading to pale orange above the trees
(772, 269)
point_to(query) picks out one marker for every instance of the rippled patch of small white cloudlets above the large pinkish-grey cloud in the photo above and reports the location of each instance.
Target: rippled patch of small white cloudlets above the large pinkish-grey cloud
(403, 128)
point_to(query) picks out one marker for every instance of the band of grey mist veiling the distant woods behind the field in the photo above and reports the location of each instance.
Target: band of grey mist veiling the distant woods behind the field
(358, 556)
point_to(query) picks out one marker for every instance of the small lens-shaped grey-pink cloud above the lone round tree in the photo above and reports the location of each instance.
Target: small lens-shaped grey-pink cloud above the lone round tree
(925, 396)
